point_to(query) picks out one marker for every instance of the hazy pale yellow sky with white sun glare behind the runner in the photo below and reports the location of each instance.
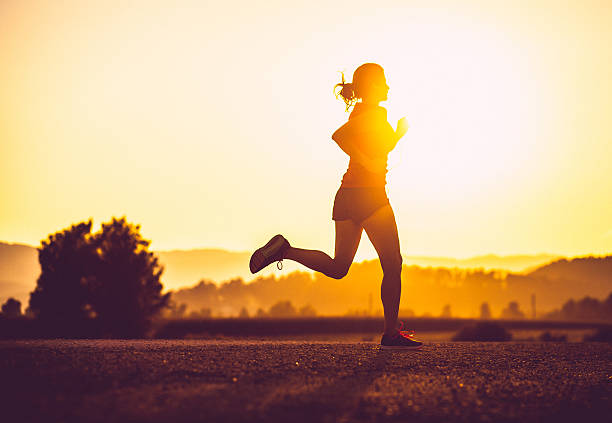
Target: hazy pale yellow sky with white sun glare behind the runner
(209, 123)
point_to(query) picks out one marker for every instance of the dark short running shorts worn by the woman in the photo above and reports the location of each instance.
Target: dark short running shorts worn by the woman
(357, 204)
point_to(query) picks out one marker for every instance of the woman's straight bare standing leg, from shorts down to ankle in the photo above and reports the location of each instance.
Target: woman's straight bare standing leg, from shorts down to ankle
(382, 231)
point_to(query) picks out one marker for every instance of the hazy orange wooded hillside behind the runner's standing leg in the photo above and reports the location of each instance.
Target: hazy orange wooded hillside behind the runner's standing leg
(425, 292)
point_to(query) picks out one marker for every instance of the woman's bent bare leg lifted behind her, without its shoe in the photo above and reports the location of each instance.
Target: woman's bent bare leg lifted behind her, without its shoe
(348, 235)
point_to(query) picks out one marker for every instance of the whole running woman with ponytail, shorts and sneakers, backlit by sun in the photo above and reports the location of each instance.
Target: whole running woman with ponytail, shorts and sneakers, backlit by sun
(361, 201)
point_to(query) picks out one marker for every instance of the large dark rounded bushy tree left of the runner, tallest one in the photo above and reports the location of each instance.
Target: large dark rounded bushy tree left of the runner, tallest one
(107, 278)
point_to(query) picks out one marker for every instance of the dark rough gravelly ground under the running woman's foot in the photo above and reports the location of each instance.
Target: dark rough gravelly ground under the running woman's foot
(266, 381)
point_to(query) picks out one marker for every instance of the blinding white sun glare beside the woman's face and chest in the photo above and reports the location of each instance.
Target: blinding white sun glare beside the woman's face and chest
(468, 101)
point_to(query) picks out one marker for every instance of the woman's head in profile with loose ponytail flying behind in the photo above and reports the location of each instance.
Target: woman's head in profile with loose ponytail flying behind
(369, 84)
